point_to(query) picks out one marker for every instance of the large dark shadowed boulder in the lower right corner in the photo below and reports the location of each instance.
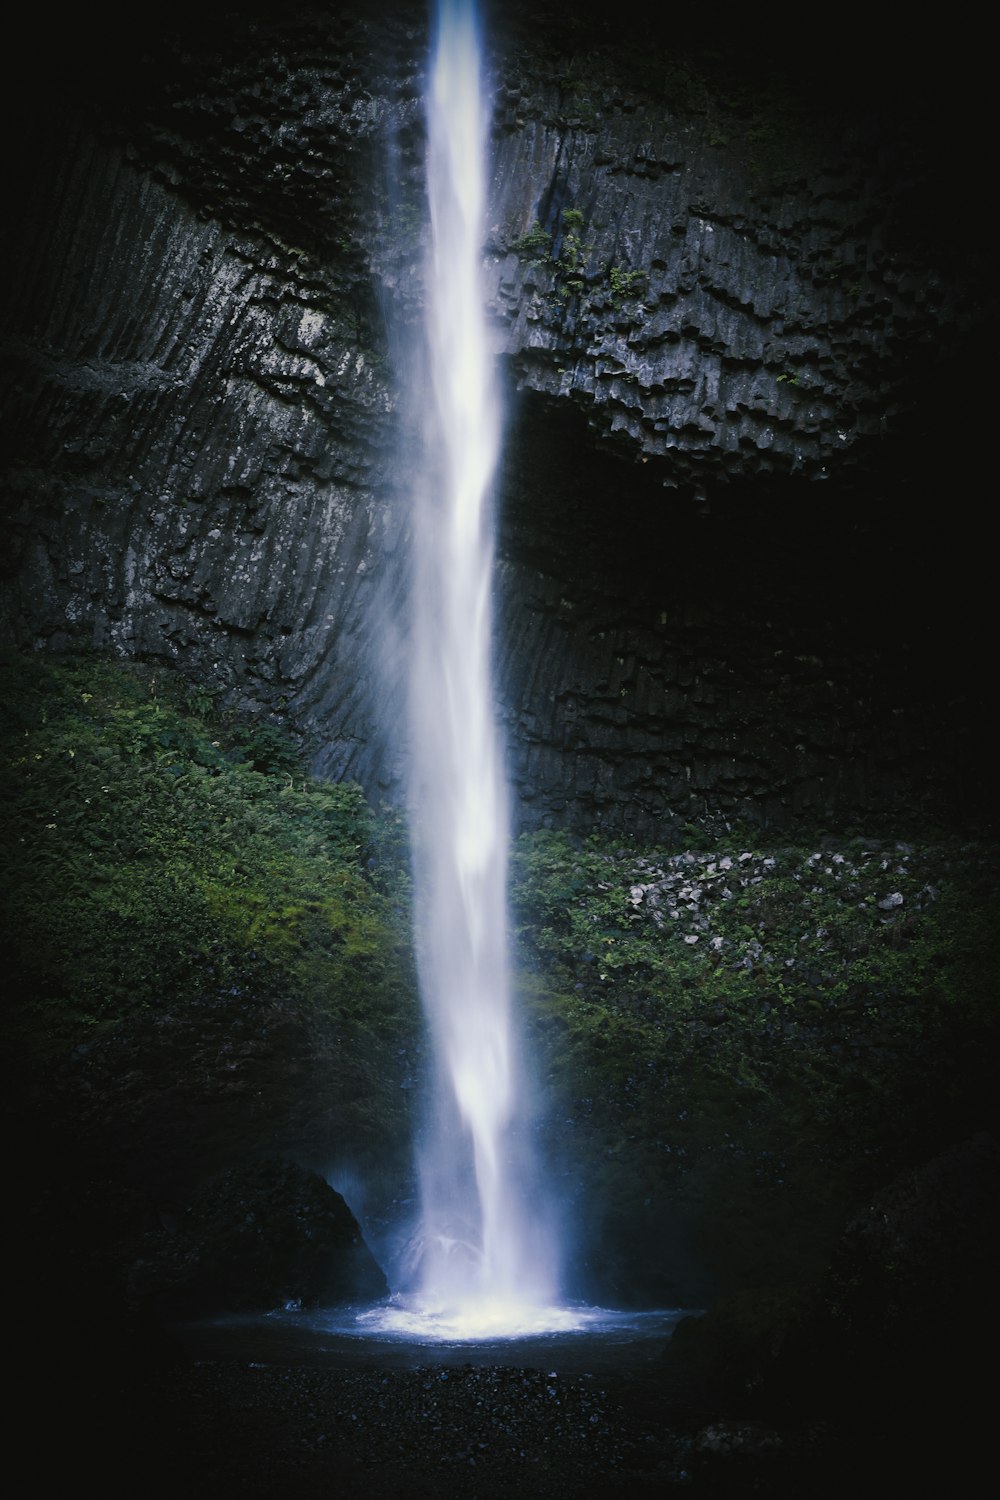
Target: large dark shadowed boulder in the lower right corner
(887, 1349)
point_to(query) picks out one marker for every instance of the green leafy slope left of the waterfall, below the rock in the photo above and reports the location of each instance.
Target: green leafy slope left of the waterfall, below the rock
(166, 860)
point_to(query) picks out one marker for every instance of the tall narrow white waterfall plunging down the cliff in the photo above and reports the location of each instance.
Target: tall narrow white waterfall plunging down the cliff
(484, 1255)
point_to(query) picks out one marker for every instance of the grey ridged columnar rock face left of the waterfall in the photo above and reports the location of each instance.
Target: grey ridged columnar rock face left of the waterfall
(194, 473)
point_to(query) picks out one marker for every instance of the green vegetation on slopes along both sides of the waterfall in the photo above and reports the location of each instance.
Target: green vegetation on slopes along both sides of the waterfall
(737, 1043)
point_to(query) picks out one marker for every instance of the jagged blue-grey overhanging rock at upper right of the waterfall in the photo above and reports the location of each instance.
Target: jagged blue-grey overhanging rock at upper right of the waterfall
(737, 308)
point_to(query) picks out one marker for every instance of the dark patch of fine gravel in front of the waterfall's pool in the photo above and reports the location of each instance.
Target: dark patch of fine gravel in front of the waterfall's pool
(470, 1432)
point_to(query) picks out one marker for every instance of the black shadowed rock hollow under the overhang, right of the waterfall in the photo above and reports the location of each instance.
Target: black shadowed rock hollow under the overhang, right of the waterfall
(675, 664)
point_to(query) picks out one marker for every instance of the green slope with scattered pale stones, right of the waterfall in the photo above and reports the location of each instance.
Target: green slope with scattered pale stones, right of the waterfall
(758, 1034)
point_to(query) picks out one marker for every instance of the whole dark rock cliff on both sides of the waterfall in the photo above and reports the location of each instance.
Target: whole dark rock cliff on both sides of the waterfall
(726, 316)
